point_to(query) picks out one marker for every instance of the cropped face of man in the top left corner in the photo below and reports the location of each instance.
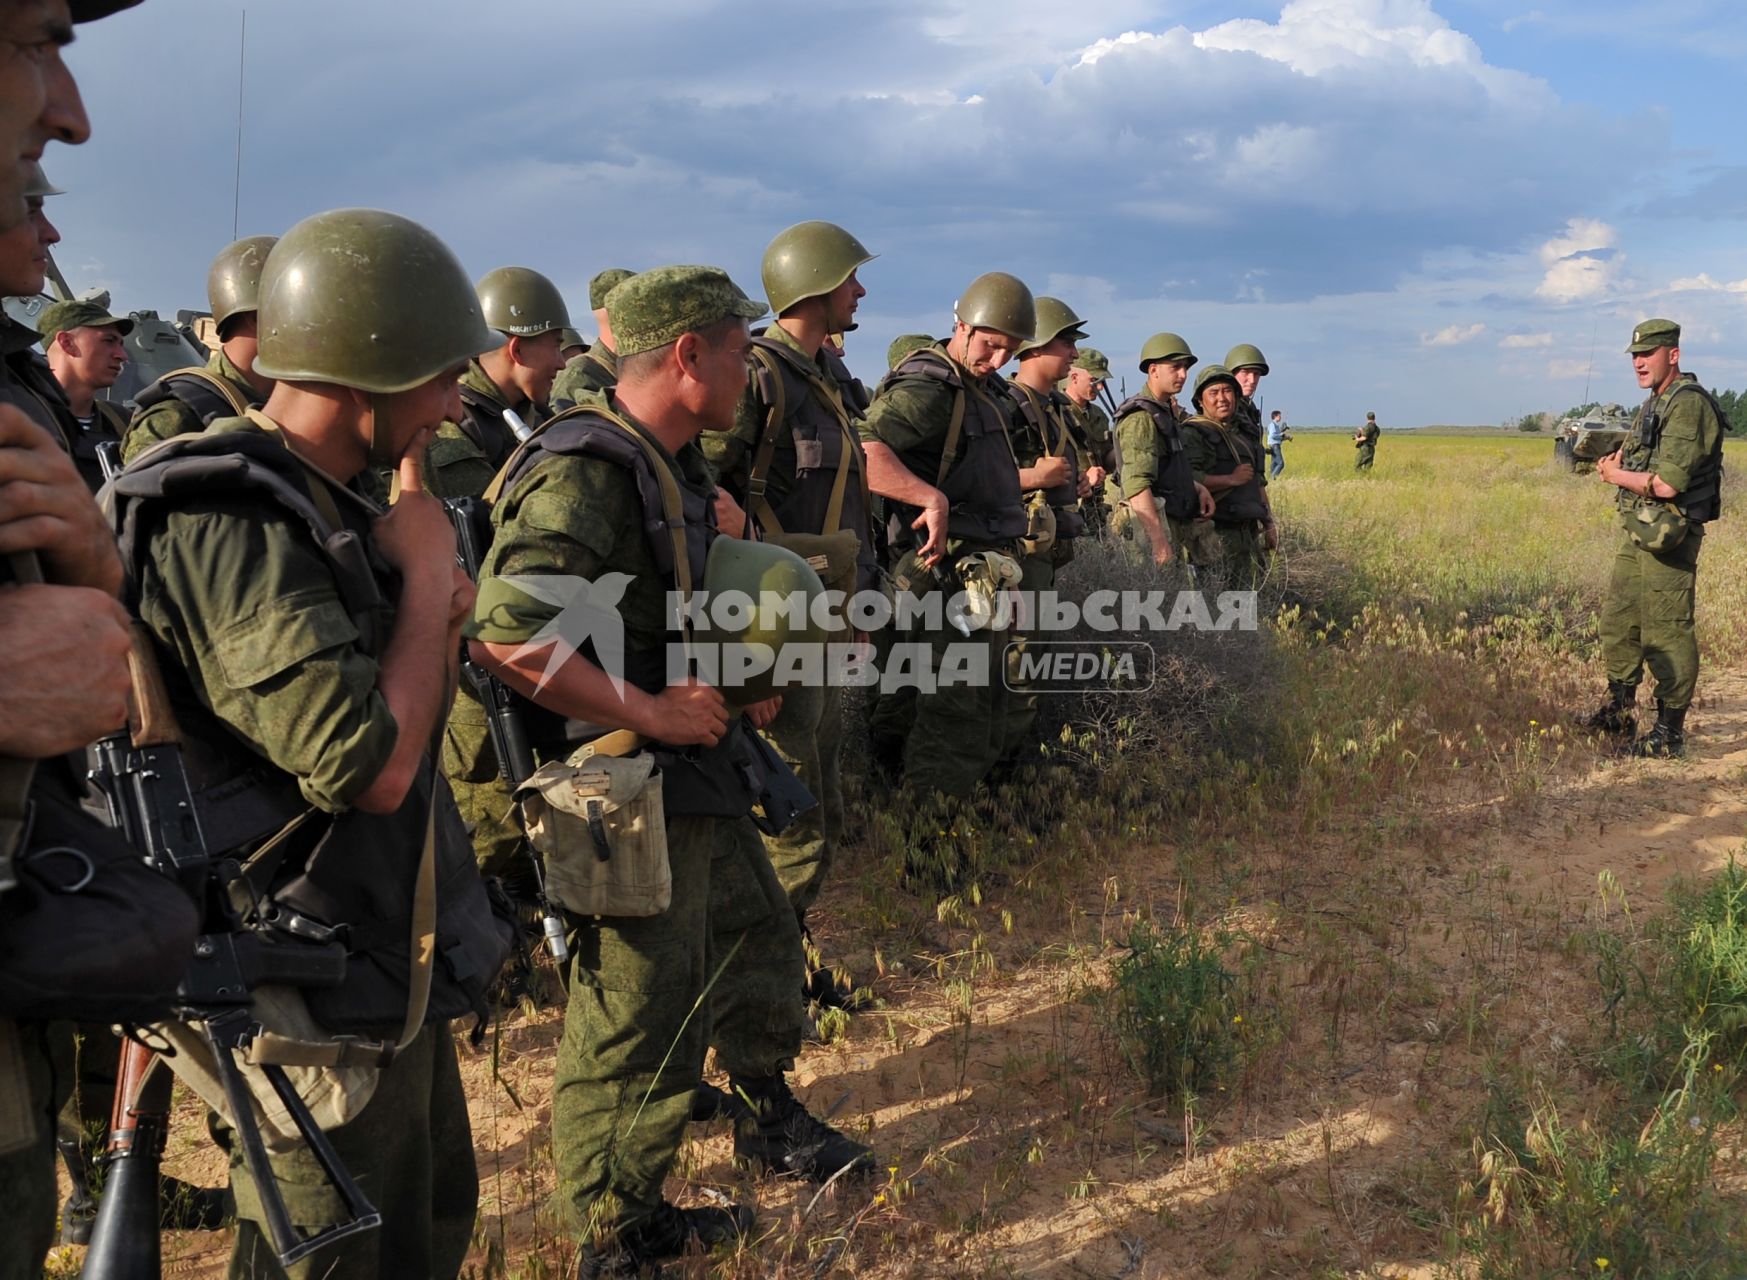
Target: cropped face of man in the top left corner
(39, 99)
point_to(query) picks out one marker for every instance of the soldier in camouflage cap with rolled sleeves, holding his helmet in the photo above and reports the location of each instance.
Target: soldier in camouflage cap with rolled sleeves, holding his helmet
(576, 509)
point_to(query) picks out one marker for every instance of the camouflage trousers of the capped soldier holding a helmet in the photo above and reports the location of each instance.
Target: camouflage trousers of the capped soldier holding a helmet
(644, 1012)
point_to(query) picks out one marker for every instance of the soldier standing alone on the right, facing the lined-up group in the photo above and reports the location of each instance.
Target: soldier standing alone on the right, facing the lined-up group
(1669, 474)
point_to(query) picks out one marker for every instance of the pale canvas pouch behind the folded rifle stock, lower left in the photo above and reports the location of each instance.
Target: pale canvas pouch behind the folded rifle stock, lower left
(335, 1096)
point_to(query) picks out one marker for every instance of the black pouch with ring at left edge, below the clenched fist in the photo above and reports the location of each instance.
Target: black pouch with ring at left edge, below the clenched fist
(90, 932)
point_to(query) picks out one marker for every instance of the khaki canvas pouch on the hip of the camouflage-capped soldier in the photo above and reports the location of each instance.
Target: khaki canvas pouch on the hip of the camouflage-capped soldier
(600, 825)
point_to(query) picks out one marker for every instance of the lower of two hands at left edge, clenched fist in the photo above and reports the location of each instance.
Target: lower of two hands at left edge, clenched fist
(67, 684)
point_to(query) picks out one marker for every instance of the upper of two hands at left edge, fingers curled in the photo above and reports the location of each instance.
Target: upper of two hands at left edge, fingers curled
(46, 509)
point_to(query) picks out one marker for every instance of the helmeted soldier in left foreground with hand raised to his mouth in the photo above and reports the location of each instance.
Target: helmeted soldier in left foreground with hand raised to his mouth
(310, 654)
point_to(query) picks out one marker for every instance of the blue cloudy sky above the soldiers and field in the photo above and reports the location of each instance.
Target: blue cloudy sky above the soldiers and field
(1430, 209)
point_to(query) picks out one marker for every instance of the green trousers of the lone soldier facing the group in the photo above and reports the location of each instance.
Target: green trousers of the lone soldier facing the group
(1648, 617)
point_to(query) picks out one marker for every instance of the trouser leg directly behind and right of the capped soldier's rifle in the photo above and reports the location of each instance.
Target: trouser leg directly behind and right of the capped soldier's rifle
(810, 736)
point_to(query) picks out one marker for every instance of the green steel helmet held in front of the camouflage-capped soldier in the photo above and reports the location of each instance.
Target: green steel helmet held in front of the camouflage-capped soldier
(778, 591)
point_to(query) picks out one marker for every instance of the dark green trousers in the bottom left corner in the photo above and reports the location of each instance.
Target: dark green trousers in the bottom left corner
(36, 1078)
